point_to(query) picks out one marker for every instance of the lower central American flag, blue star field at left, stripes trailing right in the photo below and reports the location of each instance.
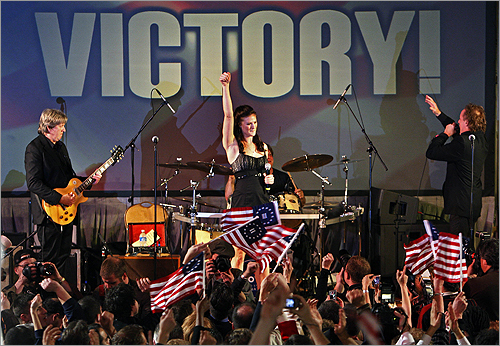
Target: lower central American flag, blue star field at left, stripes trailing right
(261, 243)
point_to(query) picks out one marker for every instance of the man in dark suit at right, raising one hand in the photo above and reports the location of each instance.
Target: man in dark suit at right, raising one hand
(458, 155)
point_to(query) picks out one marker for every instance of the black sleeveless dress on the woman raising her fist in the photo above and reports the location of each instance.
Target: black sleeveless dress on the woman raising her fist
(249, 190)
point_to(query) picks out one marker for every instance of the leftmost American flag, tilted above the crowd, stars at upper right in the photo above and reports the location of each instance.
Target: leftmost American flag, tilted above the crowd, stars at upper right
(178, 285)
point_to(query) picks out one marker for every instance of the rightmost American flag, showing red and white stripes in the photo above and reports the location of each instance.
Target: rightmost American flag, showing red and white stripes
(447, 264)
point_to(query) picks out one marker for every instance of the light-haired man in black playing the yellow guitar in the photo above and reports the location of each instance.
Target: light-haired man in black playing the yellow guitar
(48, 166)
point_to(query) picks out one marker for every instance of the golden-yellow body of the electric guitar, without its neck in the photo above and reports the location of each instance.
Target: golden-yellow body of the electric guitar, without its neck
(64, 215)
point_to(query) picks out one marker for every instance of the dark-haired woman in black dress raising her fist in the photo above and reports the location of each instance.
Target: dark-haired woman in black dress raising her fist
(246, 153)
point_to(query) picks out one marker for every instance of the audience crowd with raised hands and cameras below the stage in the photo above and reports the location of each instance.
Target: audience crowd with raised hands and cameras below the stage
(355, 309)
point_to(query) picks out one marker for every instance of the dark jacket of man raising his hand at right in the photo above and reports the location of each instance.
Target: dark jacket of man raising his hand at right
(458, 155)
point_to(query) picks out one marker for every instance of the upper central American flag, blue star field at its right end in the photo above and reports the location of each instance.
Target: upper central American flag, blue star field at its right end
(268, 214)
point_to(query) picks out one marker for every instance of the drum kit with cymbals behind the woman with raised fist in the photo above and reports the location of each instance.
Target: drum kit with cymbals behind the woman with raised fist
(290, 206)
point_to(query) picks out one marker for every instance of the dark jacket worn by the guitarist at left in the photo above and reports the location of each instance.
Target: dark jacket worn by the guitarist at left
(47, 167)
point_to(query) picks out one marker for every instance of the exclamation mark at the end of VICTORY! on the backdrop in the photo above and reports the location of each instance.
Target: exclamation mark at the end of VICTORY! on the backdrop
(430, 52)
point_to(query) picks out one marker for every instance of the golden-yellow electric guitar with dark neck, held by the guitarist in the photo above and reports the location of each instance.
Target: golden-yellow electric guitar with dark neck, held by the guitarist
(62, 214)
